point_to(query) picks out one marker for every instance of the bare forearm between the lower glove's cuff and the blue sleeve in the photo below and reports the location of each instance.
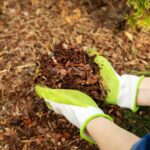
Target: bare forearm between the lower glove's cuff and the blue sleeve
(109, 136)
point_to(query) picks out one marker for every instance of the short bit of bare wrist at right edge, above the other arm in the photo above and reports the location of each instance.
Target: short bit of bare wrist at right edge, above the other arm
(143, 97)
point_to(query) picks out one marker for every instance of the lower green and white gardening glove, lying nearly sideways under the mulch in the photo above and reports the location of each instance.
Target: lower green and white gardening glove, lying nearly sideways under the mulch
(76, 106)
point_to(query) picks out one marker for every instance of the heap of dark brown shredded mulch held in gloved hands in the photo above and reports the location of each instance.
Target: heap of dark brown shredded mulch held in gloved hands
(68, 67)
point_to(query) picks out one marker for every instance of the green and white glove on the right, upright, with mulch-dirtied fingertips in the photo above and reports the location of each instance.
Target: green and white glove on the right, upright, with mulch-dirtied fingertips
(121, 90)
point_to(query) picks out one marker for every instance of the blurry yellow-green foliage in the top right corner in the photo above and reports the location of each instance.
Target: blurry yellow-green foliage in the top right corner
(141, 15)
